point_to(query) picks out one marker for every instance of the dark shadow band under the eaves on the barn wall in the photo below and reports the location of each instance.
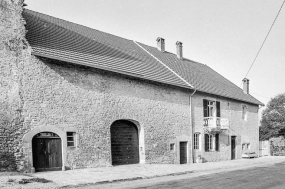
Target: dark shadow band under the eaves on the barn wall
(96, 80)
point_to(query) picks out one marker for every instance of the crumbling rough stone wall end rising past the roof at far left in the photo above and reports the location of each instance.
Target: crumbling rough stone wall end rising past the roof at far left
(14, 52)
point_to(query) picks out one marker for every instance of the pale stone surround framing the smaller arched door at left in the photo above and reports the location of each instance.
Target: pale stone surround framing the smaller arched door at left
(27, 140)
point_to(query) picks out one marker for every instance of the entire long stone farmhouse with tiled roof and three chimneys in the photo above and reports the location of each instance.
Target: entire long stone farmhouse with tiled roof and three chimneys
(74, 97)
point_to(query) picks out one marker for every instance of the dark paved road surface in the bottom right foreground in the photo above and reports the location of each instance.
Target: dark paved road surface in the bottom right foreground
(254, 178)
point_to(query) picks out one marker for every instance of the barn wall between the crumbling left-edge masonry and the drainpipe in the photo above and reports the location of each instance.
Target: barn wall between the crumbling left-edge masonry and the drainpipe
(88, 101)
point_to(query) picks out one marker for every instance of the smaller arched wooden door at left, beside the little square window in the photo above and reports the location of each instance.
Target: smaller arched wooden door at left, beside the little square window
(47, 152)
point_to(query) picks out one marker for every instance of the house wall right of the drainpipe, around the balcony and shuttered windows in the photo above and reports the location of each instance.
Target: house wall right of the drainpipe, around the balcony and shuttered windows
(246, 131)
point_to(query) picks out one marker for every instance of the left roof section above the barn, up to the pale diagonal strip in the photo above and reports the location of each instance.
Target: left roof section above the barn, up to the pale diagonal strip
(58, 39)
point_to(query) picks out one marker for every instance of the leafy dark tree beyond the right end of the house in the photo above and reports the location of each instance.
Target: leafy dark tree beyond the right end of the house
(273, 118)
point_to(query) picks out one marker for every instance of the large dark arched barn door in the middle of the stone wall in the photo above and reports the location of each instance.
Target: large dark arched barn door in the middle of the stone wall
(124, 143)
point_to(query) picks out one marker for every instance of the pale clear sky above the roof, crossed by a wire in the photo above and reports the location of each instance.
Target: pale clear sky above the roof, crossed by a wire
(225, 35)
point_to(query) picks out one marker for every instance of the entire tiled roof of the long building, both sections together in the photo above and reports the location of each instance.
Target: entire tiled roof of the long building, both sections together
(59, 39)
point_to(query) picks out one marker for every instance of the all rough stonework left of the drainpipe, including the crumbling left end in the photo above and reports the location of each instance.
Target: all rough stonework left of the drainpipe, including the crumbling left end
(43, 95)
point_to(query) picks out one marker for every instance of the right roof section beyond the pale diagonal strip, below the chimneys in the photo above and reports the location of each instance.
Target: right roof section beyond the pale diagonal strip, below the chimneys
(201, 76)
